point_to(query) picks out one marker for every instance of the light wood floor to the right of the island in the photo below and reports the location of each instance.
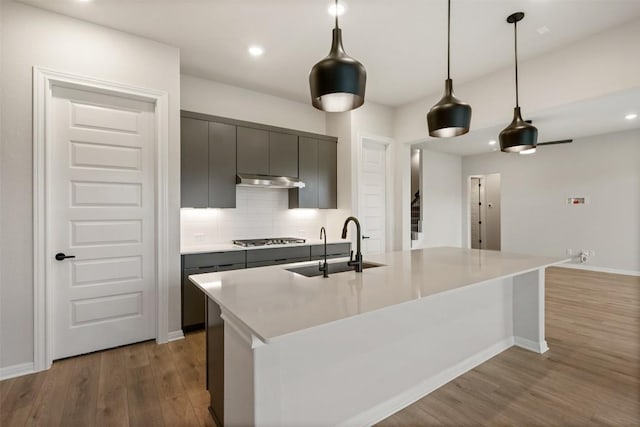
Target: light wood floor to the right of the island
(589, 377)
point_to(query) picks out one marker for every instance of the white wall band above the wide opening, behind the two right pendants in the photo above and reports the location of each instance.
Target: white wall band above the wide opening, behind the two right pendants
(590, 68)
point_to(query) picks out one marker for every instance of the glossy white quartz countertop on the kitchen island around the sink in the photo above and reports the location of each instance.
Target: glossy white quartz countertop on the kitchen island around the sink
(273, 302)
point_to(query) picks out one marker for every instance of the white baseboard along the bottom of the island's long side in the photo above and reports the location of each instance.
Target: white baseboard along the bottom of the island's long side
(393, 405)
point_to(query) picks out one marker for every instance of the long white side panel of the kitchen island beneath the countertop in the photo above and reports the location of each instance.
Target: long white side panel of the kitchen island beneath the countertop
(362, 369)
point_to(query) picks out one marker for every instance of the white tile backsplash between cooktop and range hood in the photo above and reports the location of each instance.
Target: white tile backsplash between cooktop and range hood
(259, 212)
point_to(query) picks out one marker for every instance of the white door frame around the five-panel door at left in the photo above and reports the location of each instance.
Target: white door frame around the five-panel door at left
(43, 81)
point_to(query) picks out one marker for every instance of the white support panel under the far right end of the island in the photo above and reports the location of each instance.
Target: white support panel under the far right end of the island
(528, 311)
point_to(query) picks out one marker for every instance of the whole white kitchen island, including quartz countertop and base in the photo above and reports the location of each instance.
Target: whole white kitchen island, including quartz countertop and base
(354, 348)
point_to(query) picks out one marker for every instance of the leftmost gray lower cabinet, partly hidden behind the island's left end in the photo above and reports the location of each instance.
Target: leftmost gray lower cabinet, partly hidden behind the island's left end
(193, 300)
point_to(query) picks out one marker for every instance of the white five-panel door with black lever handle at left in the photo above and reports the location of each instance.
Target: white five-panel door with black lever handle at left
(101, 198)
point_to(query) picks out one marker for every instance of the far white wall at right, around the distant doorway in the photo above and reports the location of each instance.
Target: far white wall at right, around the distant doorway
(535, 216)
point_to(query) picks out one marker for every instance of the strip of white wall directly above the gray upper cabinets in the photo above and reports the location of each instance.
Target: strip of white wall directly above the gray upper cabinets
(209, 97)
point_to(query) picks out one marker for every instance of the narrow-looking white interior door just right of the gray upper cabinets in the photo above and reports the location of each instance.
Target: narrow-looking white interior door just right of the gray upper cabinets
(373, 187)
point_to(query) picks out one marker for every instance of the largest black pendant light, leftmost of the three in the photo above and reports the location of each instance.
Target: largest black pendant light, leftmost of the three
(338, 81)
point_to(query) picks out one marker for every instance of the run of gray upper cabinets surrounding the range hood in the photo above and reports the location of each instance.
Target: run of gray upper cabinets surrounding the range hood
(215, 149)
